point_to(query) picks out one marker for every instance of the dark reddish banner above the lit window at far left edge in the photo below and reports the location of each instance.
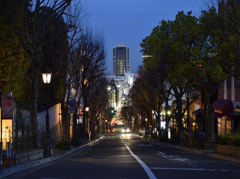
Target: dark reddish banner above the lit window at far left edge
(6, 107)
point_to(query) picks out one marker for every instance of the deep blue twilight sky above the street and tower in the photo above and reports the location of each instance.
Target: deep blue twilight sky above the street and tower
(130, 21)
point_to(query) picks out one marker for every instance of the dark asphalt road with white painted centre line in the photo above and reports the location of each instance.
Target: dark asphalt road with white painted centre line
(118, 156)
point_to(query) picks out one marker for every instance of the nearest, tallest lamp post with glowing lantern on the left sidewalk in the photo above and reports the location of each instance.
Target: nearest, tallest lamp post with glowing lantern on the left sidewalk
(47, 149)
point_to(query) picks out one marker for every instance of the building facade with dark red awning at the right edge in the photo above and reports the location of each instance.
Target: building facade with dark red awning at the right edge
(227, 106)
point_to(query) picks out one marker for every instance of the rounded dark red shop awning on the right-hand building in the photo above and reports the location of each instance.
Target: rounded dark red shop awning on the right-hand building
(223, 107)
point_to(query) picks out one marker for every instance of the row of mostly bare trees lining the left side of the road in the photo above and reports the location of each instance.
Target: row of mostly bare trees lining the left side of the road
(41, 34)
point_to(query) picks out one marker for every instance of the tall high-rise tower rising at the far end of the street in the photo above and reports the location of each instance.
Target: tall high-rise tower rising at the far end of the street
(120, 59)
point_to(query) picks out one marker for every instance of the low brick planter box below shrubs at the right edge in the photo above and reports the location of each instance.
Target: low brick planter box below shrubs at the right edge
(227, 150)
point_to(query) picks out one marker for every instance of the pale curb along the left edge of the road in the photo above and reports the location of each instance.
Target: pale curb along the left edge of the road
(20, 167)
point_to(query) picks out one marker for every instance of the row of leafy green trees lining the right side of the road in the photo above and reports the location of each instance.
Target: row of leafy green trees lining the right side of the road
(188, 53)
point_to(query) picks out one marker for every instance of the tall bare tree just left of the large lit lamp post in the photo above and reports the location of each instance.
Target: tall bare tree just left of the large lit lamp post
(36, 23)
